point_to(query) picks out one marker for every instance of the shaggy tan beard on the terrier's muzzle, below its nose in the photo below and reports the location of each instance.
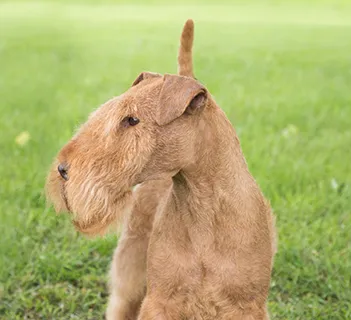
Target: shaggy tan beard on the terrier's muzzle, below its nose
(94, 206)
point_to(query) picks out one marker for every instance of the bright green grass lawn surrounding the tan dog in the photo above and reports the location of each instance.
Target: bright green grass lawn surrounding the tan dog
(282, 73)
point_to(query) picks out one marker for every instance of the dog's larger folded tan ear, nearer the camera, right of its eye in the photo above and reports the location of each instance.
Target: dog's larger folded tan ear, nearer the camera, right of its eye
(179, 95)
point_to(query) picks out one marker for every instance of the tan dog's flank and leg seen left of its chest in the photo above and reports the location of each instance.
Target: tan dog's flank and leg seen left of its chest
(128, 270)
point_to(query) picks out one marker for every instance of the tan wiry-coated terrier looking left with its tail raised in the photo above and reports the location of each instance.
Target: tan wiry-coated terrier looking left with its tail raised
(198, 241)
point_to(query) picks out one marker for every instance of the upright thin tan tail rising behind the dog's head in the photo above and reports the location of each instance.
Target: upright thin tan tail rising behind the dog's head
(185, 59)
